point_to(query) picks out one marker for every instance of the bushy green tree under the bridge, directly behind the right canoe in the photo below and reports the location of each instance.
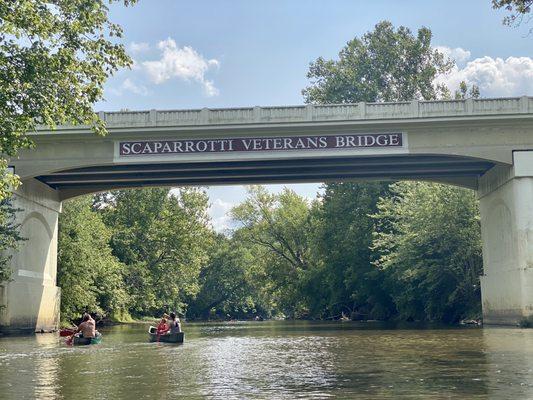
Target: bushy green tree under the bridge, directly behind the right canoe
(163, 239)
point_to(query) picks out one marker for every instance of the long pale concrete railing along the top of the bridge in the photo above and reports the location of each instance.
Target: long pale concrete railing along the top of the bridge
(314, 113)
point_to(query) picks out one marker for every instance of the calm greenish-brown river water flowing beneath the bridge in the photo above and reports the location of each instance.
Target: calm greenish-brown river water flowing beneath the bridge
(274, 360)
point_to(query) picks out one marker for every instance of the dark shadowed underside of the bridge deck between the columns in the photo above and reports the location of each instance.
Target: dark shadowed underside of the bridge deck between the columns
(464, 171)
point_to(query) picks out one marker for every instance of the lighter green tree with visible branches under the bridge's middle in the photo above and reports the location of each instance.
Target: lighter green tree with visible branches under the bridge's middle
(280, 224)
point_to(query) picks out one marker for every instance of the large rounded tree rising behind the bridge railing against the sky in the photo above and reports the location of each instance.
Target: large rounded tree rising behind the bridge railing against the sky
(386, 64)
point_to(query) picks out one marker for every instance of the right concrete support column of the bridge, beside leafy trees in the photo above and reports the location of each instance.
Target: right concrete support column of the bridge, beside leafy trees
(506, 205)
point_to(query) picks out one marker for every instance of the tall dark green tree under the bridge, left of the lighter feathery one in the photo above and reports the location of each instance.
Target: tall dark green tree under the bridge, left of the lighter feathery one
(351, 285)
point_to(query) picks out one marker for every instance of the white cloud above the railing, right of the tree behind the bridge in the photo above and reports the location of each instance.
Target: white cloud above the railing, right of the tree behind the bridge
(496, 77)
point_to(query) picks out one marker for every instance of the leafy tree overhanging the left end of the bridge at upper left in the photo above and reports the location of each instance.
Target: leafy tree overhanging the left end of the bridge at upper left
(54, 59)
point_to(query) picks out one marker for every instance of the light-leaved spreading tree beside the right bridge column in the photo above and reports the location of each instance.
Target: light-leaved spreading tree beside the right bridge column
(429, 244)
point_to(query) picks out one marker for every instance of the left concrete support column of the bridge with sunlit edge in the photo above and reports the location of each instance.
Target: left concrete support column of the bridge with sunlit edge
(31, 299)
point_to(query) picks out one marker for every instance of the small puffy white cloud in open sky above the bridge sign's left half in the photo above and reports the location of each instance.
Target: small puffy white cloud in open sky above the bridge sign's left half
(182, 63)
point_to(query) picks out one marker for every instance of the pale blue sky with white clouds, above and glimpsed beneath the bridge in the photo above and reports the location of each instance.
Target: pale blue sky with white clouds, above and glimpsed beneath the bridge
(233, 53)
